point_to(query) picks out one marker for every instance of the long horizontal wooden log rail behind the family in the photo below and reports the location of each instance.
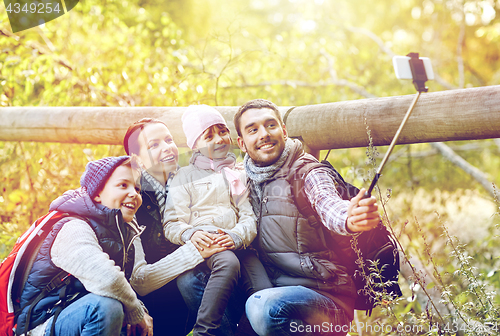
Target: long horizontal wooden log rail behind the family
(464, 114)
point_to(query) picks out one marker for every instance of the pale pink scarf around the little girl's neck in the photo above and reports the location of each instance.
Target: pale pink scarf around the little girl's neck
(226, 165)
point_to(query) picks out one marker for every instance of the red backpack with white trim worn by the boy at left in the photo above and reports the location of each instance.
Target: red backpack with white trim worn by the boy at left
(15, 269)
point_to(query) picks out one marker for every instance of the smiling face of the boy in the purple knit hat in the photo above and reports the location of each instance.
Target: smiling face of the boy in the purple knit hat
(121, 192)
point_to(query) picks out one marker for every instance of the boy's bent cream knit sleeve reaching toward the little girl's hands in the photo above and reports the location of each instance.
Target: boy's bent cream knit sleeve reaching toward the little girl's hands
(149, 277)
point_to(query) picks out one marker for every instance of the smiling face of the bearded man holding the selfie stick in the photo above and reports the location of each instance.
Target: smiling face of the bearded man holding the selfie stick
(262, 136)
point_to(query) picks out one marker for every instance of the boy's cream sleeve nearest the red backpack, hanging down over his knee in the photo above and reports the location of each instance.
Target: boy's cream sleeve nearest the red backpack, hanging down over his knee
(77, 251)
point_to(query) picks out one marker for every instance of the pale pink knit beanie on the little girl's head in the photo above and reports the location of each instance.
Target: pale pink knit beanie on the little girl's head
(196, 119)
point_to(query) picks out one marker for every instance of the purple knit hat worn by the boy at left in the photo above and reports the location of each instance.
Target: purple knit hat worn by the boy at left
(97, 173)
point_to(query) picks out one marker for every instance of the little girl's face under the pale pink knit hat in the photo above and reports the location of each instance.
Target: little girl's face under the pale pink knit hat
(214, 142)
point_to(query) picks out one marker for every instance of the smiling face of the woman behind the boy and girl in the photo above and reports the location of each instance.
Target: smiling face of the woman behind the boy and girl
(157, 150)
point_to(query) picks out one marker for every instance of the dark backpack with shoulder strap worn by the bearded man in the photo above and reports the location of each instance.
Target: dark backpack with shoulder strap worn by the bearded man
(357, 253)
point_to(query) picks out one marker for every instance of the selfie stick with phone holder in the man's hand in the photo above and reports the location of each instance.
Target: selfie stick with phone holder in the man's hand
(419, 79)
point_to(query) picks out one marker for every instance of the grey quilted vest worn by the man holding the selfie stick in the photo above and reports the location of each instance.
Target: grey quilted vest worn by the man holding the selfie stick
(293, 251)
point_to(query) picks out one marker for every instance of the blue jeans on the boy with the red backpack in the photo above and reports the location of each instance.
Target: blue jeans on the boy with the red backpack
(90, 315)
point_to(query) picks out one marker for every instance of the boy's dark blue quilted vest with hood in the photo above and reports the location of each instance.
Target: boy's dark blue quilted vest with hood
(114, 238)
